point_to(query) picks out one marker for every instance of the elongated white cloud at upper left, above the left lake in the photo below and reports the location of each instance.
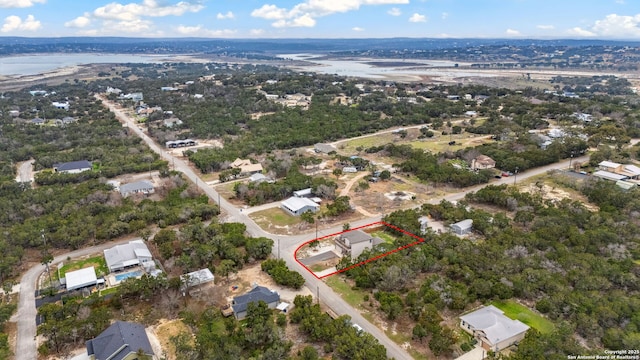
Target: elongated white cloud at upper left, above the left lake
(149, 8)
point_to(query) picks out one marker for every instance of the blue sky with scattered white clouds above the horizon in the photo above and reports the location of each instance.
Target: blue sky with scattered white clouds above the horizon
(531, 19)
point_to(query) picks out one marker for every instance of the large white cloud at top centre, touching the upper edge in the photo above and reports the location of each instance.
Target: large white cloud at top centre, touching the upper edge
(305, 13)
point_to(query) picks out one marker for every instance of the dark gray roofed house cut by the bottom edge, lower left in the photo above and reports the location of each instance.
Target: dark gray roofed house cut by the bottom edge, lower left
(120, 341)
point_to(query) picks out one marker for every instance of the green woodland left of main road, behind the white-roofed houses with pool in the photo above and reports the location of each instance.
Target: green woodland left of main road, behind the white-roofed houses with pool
(72, 216)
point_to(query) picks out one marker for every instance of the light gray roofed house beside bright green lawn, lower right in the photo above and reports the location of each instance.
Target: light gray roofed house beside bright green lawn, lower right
(492, 328)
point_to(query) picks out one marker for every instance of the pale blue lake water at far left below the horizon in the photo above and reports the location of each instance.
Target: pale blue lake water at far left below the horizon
(37, 64)
